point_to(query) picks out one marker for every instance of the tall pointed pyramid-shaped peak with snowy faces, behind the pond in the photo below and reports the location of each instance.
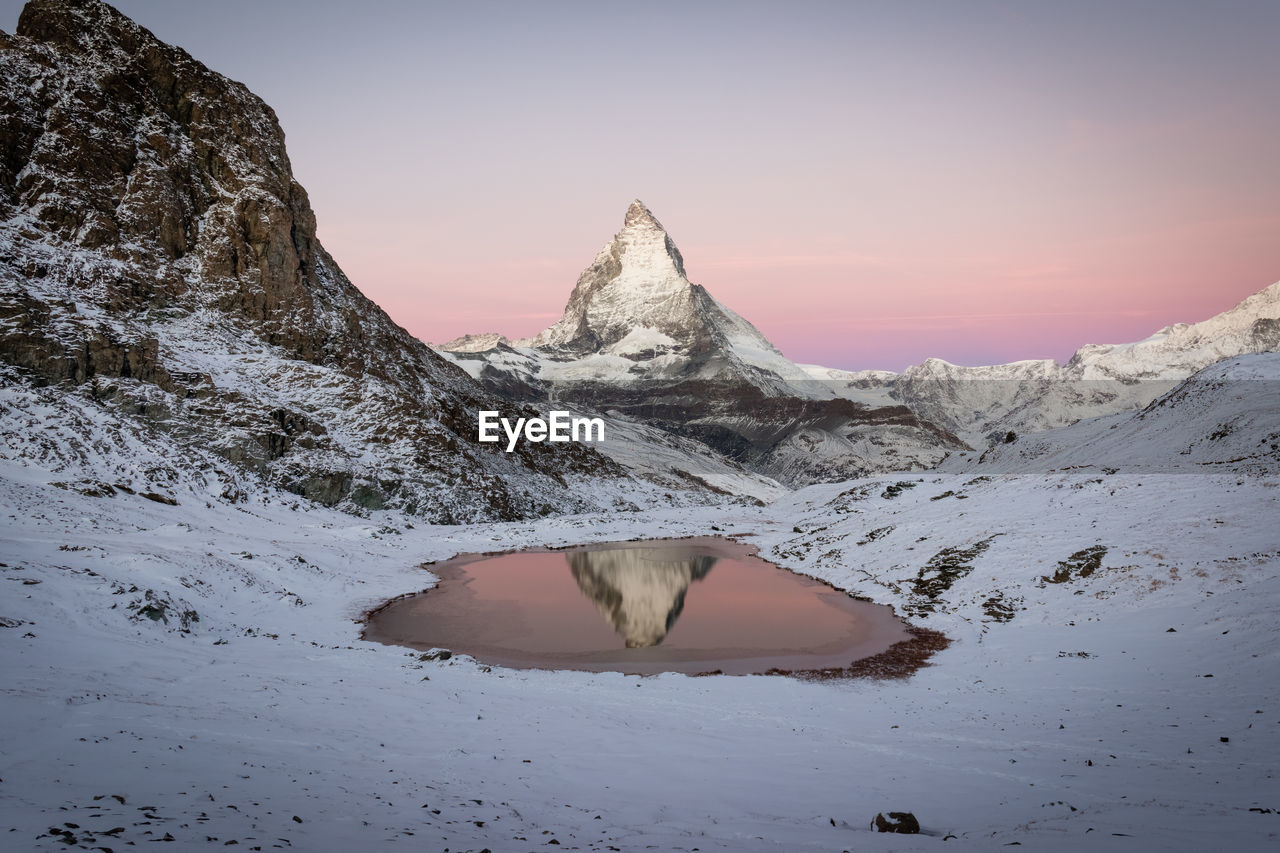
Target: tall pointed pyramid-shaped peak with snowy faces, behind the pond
(642, 341)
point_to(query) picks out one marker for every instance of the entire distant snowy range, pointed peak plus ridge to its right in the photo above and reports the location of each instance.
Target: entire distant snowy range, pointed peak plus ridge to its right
(639, 340)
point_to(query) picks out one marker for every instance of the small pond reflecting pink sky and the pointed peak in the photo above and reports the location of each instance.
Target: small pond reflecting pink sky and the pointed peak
(642, 608)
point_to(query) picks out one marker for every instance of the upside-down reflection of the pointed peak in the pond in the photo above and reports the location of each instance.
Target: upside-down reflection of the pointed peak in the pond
(641, 591)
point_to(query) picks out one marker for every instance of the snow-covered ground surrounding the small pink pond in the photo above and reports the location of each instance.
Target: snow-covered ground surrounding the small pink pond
(1066, 715)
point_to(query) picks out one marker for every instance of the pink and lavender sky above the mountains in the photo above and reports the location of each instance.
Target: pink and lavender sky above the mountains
(870, 184)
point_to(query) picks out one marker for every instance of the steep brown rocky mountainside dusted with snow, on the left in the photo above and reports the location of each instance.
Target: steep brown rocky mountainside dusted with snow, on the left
(161, 272)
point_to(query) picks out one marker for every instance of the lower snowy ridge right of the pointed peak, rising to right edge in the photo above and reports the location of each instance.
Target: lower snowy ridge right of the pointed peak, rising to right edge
(985, 404)
